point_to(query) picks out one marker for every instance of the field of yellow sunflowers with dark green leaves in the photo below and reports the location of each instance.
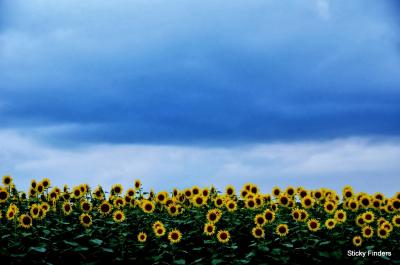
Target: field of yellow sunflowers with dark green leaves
(53, 225)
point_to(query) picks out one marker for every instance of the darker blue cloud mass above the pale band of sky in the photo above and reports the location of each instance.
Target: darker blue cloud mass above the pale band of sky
(200, 72)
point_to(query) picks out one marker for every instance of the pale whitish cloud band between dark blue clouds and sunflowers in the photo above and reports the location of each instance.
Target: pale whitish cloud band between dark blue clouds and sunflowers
(368, 164)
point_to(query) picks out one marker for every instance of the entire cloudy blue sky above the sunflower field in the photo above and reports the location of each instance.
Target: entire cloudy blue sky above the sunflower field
(179, 93)
